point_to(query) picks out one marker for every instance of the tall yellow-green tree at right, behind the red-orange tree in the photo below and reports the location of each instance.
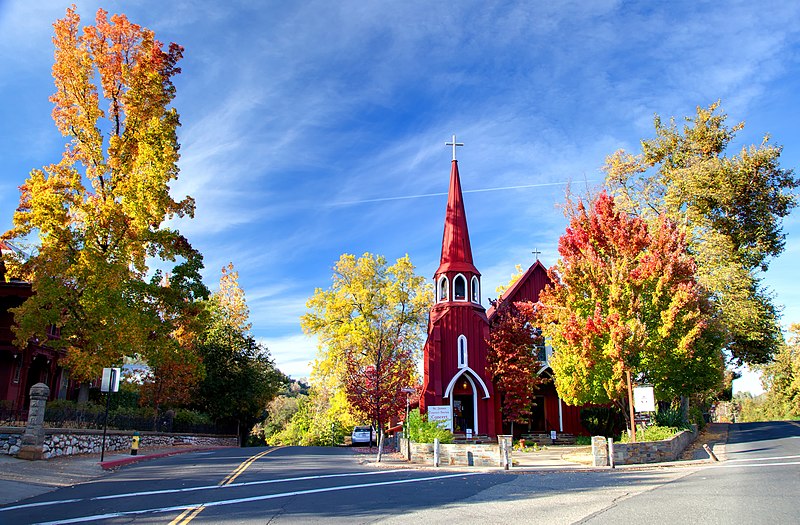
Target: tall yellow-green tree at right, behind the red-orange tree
(731, 208)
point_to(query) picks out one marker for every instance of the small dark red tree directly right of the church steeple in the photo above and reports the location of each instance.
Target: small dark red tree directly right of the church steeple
(512, 358)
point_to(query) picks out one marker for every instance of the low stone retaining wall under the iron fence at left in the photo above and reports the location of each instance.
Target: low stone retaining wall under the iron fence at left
(67, 442)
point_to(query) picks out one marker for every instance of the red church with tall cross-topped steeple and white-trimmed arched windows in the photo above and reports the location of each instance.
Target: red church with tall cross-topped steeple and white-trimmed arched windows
(455, 353)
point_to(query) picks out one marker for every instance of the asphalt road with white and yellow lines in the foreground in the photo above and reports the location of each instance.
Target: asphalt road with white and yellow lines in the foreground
(759, 483)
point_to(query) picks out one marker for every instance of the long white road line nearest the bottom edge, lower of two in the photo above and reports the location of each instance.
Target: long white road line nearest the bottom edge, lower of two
(251, 499)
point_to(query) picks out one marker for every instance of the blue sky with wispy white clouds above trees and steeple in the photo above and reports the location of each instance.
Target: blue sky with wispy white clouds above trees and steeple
(303, 122)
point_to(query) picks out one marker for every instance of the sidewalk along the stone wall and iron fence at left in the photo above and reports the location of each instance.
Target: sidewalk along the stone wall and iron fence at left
(21, 479)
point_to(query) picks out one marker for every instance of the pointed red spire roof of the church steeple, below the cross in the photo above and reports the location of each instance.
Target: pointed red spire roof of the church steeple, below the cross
(456, 249)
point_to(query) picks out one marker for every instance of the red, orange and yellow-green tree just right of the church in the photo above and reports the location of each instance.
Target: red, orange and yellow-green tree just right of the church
(624, 298)
